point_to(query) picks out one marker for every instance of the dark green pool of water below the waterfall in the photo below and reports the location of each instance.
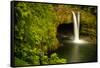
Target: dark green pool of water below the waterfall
(86, 52)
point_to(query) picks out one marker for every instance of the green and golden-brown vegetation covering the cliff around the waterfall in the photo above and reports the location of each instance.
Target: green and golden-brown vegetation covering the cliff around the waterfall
(36, 28)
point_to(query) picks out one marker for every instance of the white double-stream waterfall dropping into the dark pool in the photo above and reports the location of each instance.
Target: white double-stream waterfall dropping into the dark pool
(76, 19)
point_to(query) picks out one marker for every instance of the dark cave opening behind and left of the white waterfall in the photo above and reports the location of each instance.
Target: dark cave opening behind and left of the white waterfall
(65, 32)
